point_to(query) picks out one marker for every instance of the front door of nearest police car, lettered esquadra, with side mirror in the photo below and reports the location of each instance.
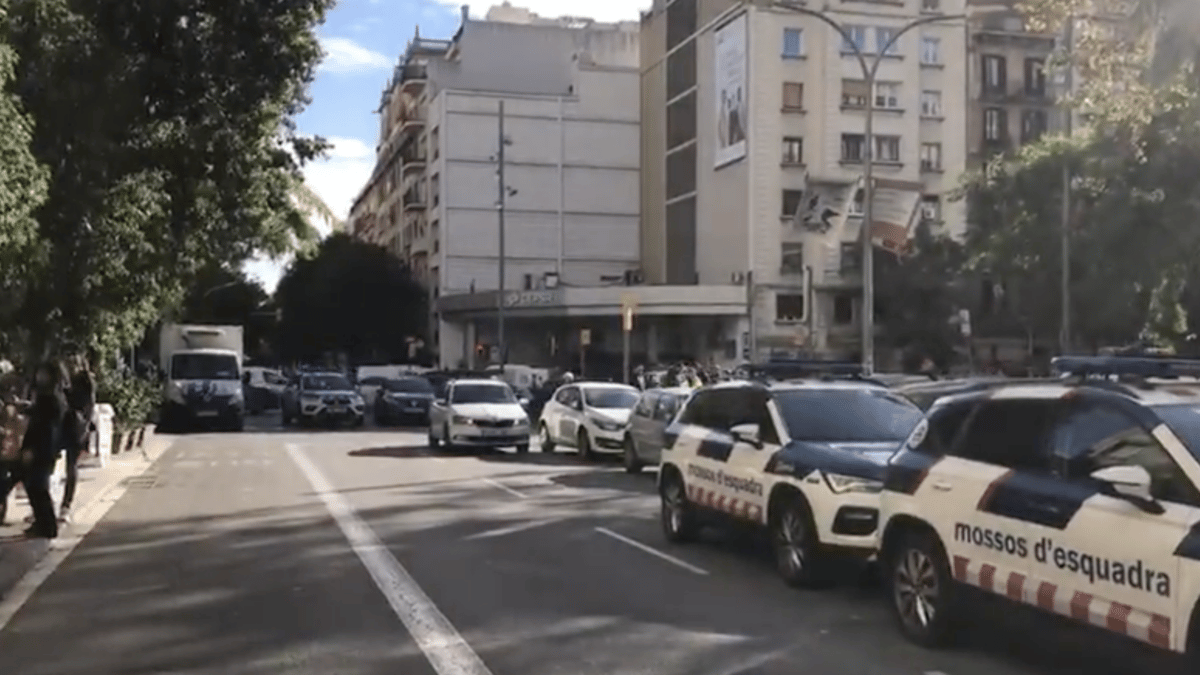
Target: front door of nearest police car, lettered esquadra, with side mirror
(1138, 568)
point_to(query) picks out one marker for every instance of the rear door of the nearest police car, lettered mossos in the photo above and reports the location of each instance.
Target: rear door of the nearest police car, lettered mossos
(993, 486)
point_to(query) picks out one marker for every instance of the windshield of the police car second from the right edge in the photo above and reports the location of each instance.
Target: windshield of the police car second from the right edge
(849, 416)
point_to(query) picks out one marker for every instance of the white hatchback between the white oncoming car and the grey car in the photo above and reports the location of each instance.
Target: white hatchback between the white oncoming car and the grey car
(590, 417)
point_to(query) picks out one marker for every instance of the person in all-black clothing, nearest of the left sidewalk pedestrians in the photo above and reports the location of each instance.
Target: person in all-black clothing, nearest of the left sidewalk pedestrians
(40, 449)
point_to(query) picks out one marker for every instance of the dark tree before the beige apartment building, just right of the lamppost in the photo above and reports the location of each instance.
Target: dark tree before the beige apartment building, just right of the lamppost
(916, 301)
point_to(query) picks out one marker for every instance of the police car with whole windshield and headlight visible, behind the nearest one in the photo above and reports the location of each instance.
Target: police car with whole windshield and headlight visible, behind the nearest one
(803, 459)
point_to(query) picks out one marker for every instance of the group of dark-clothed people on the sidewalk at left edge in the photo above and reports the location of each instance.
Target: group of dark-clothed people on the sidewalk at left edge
(44, 419)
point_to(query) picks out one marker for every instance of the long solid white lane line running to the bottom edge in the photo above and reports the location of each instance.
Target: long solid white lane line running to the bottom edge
(445, 648)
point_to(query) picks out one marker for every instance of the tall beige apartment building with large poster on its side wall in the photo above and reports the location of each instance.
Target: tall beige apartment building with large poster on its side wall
(753, 151)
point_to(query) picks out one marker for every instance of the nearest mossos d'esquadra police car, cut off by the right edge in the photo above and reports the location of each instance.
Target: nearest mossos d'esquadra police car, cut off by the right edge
(1079, 497)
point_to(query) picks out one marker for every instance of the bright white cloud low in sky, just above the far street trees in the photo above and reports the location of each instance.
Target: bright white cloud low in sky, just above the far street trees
(338, 181)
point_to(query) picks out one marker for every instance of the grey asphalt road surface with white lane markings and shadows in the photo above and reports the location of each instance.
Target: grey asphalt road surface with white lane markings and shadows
(316, 553)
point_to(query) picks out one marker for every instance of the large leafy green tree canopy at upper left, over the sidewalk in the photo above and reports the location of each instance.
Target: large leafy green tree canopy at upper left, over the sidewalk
(167, 130)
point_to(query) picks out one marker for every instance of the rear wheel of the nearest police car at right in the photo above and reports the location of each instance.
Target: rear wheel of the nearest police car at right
(922, 590)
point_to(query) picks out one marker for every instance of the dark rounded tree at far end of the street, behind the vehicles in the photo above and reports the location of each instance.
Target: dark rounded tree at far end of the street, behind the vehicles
(350, 297)
